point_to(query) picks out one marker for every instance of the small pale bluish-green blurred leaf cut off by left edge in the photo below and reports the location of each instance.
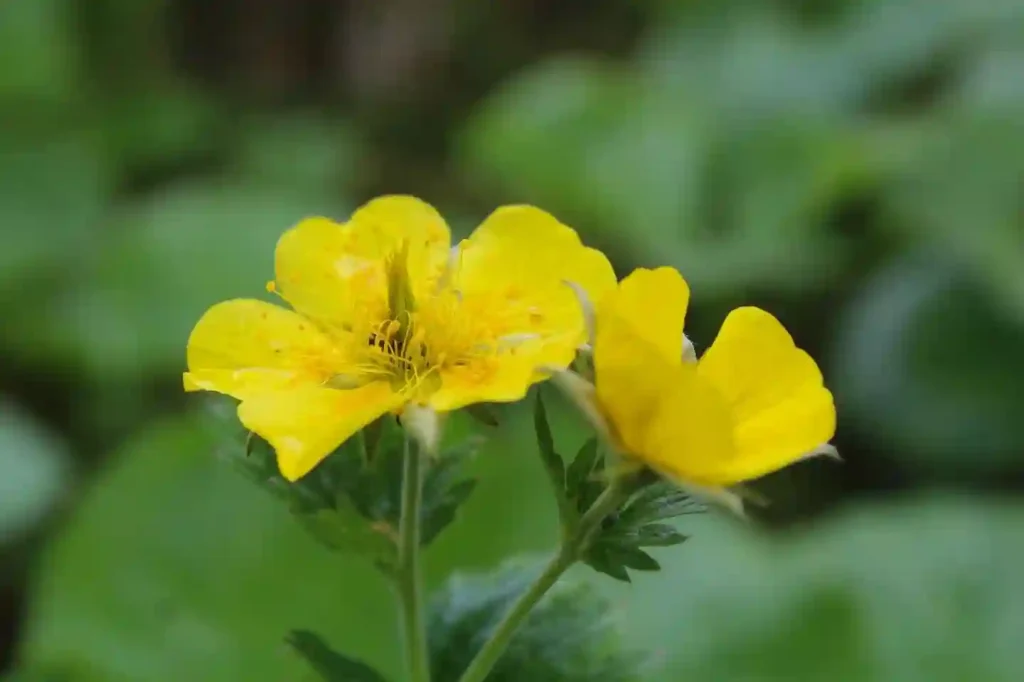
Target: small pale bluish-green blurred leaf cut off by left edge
(32, 473)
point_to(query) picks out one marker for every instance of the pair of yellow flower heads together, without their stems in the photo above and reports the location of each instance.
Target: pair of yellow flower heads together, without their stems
(387, 317)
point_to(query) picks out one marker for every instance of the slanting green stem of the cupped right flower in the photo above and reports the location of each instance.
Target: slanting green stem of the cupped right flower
(568, 556)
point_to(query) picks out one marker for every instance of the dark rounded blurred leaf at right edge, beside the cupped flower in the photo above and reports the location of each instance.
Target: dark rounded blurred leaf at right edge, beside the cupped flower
(926, 366)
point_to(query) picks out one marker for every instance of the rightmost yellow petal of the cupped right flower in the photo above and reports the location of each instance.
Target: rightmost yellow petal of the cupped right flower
(781, 407)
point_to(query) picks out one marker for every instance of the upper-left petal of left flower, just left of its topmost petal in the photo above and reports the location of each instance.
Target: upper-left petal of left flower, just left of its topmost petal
(325, 277)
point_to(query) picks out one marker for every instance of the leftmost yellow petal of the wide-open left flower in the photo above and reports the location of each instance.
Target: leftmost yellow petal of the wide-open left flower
(244, 347)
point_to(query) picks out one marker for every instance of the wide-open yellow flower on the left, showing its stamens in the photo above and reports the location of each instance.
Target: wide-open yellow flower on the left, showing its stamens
(386, 315)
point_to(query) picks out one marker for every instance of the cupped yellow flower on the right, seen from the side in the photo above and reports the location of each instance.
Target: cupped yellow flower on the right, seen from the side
(752, 405)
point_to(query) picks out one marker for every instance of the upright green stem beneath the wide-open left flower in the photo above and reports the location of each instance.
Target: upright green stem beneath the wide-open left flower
(408, 574)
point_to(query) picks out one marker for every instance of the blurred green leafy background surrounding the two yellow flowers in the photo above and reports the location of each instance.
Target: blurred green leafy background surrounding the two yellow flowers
(856, 166)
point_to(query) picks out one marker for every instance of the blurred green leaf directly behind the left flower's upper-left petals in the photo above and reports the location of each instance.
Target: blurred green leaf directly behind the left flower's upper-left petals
(173, 259)
